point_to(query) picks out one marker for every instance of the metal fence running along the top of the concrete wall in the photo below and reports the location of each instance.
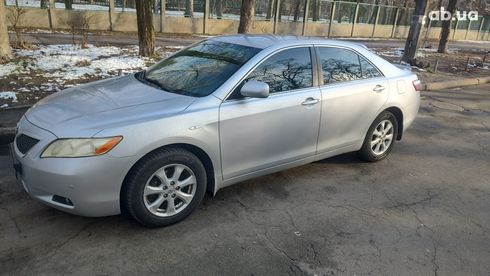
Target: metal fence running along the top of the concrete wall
(326, 12)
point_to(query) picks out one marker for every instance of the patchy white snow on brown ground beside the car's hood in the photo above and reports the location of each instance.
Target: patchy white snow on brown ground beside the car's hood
(49, 68)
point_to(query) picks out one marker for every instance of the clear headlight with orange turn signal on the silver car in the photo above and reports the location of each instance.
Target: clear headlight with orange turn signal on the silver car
(81, 147)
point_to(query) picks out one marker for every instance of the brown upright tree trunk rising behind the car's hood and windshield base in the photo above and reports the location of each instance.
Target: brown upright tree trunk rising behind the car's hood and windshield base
(146, 31)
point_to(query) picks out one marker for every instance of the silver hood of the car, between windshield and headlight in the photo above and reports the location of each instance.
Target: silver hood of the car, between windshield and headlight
(89, 108)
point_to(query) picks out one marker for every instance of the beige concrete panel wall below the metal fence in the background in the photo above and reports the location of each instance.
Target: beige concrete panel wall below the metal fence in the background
(126, 22)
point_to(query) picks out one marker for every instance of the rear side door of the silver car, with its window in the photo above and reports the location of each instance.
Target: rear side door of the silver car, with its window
(353, 91)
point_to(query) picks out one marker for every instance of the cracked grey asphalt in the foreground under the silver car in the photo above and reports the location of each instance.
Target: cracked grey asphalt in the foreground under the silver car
(423, 211)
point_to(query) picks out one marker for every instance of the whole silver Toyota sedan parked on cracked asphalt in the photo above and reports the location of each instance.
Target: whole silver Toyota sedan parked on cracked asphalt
(216, 113)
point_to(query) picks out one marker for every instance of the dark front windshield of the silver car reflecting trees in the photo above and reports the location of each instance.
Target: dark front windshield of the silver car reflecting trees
(200, 69)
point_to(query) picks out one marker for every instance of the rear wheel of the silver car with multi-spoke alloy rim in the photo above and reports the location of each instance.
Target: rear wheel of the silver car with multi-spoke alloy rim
(380, 139)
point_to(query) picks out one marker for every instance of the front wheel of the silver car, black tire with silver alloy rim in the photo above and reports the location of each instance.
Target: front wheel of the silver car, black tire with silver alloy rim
(164, 187)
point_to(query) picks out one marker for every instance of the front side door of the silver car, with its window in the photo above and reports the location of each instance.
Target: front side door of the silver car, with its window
(256, 133)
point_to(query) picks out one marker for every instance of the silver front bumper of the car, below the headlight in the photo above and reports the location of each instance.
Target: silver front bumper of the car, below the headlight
(91, 184)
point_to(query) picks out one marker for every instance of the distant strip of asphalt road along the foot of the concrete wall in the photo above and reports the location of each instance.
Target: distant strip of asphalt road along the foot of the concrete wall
(123, 39)
